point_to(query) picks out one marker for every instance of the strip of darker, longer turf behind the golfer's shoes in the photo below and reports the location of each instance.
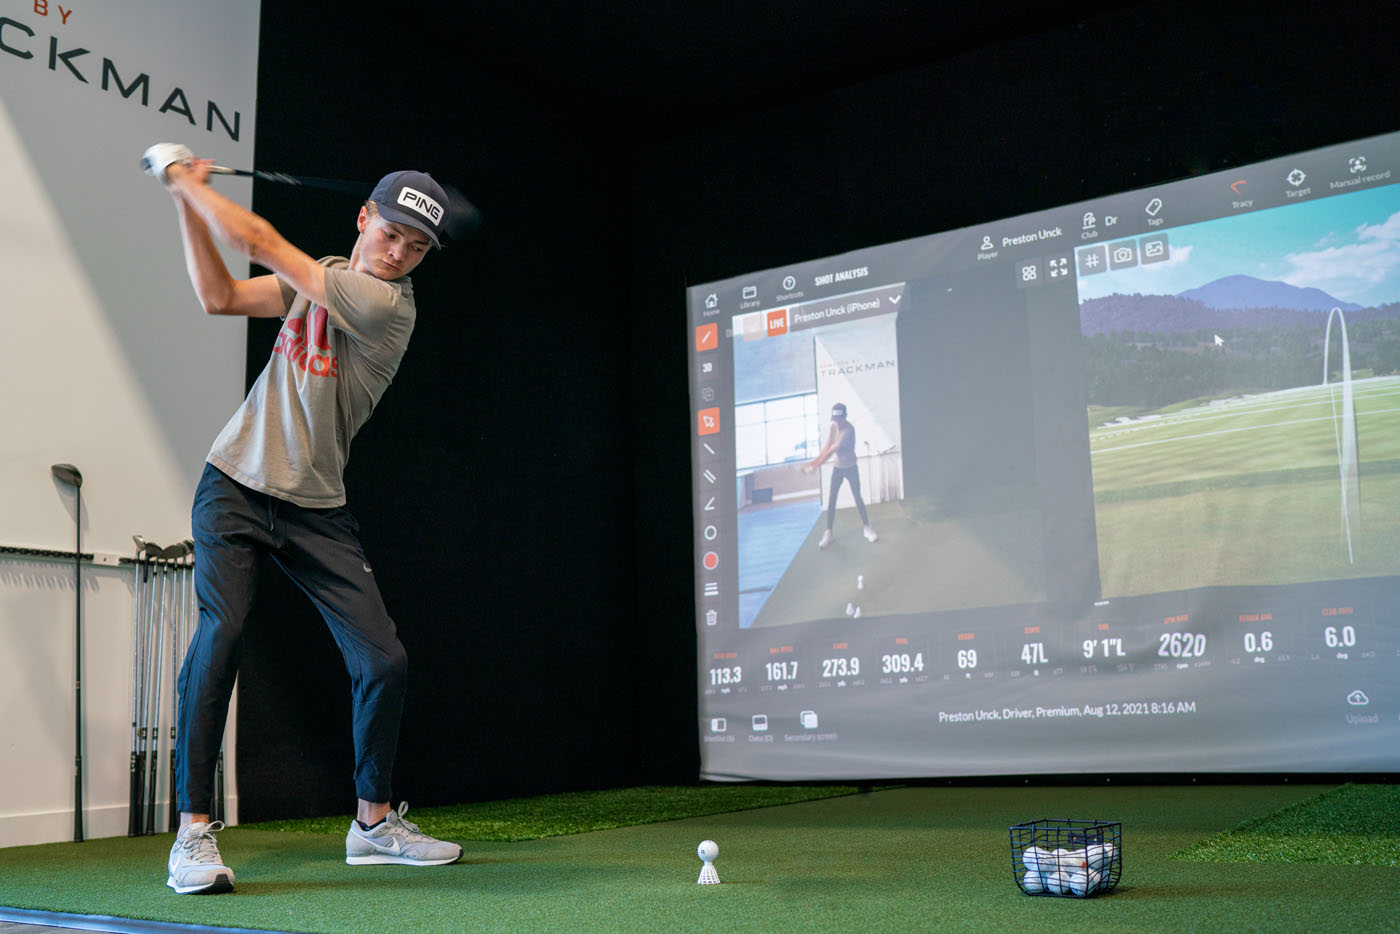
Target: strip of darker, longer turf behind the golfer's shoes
(580, 811)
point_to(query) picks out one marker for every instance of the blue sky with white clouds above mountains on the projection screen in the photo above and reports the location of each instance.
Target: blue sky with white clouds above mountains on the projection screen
(1349, 246)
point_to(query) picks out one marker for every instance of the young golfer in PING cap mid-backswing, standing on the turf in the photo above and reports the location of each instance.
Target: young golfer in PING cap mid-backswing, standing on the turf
(274, 488)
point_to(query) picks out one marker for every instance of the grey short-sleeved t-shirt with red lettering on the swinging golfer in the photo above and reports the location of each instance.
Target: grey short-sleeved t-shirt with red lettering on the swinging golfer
(328, 370)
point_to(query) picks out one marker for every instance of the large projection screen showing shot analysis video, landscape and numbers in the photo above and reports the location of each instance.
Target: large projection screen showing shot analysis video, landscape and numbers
(1109, 488)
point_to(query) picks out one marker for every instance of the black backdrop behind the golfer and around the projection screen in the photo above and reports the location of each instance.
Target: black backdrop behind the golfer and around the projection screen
(524, 488)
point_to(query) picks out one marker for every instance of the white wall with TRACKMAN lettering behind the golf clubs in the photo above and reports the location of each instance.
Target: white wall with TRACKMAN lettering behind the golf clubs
(106, 361)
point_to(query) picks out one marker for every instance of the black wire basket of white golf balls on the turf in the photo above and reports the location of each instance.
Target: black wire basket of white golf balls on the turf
(1067, 858)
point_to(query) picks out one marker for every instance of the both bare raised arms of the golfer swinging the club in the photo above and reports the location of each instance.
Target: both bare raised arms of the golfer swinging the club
(205, 209)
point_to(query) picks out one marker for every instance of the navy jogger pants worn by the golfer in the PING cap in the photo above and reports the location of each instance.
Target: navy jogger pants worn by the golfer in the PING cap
(320, 551)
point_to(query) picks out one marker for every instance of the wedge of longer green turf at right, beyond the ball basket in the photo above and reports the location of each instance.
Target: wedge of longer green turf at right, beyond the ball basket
(1353, 825)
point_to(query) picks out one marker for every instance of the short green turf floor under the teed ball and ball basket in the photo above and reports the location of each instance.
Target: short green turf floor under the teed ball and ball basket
(901, 859)
